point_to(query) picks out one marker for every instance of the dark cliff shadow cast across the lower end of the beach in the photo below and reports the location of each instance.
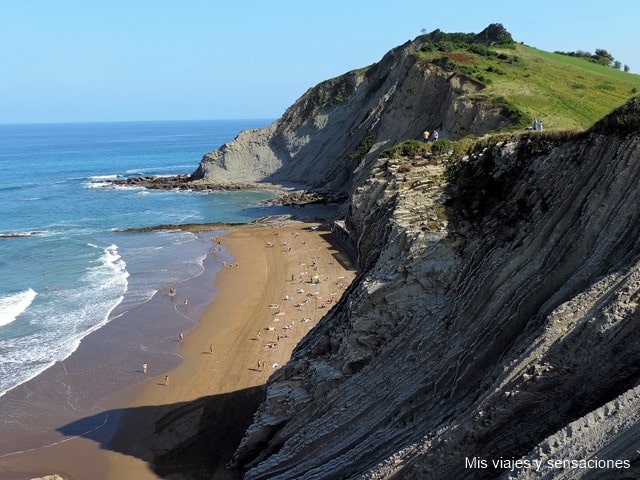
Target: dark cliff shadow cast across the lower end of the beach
(195, 439)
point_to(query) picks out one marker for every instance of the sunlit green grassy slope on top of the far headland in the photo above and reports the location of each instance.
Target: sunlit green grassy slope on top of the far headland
(567, 93)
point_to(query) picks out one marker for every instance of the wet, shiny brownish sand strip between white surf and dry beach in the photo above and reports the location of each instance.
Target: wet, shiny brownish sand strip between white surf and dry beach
(49, 417)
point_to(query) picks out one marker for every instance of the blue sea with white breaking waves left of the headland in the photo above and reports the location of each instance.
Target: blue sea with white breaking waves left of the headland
(65, 269)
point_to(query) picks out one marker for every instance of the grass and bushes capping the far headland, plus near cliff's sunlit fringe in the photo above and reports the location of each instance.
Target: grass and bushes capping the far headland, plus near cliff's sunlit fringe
(569, 93)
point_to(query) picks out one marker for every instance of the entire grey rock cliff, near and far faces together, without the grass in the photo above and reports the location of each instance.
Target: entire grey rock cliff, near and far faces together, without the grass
(495, 315)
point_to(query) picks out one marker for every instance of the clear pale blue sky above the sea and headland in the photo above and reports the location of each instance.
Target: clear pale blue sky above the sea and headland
(127, 60)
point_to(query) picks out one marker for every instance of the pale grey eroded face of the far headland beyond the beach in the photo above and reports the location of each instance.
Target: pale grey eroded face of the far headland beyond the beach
(329, 139)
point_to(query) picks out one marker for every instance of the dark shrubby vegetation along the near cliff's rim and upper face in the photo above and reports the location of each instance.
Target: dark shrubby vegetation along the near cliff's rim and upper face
(477, 182)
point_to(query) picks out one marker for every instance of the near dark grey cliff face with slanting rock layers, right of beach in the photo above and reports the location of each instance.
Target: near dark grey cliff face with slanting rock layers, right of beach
(496, 316)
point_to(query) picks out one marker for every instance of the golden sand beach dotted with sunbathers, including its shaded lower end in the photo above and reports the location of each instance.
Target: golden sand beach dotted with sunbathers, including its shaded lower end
(220, 388)
